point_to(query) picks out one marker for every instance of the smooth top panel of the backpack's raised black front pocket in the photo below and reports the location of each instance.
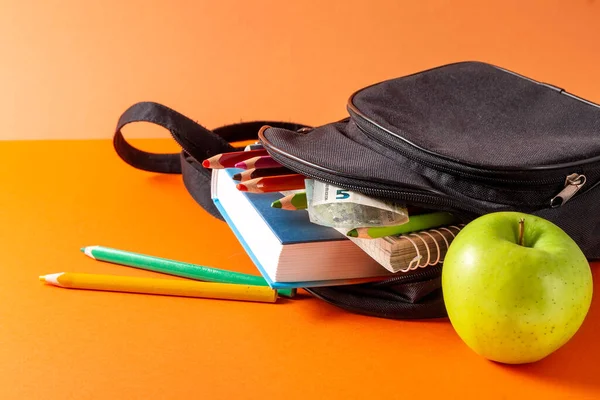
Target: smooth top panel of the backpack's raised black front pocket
(438, 108)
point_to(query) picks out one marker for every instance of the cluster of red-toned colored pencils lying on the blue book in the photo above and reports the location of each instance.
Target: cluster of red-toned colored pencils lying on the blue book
(262, 174)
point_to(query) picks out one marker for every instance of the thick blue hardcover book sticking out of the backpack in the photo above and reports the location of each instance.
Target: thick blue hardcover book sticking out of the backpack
(288, 249)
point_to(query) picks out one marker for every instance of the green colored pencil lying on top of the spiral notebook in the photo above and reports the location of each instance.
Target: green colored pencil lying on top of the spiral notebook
(415, 223)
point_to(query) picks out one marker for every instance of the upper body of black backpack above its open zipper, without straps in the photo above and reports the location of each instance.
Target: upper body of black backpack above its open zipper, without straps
(468, 138)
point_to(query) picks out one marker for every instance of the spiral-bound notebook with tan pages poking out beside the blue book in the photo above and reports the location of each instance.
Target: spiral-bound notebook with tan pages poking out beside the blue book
(408, 252)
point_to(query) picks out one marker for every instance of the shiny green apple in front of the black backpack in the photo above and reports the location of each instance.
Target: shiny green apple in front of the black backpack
(516, 286)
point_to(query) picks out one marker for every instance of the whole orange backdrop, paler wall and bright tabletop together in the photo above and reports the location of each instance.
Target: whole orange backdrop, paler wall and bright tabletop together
(69, 69)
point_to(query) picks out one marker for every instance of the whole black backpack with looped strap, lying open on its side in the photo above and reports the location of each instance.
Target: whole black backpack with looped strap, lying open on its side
(470, 138)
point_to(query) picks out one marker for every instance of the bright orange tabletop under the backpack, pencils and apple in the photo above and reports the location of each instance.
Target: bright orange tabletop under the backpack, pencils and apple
(68, 344)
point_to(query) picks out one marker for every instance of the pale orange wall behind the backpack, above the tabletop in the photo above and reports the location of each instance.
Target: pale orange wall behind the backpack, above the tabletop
(69, 67)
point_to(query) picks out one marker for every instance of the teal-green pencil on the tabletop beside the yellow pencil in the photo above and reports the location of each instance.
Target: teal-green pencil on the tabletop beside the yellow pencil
(177, 268)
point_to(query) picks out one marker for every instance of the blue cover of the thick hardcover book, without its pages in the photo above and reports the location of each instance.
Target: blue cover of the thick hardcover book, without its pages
(289, 227)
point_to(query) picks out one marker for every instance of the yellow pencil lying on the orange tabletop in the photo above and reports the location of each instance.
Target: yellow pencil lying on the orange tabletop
(169, 287)
